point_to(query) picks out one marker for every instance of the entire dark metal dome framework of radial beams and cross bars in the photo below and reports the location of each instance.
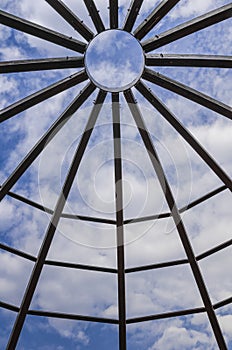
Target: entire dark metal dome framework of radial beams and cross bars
(145, 31)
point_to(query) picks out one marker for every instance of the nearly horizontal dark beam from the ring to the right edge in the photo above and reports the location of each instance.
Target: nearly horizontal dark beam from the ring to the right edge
(209, 61)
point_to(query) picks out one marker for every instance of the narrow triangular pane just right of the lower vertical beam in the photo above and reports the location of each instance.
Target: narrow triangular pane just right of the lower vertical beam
(141, 188)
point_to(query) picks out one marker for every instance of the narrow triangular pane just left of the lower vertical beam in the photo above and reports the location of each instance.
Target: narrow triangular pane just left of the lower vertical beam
(93, 191)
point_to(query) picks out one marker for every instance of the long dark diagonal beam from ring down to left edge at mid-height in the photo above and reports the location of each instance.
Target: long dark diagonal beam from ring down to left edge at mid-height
(46, 139)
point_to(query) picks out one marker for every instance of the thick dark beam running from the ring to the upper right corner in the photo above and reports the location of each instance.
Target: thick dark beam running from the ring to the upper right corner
(188, 28)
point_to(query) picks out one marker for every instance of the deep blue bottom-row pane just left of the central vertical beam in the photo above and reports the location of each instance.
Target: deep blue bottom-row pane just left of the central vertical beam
(40, 333)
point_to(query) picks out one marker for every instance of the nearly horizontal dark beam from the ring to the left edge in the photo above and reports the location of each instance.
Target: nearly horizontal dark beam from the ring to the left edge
(41, 64)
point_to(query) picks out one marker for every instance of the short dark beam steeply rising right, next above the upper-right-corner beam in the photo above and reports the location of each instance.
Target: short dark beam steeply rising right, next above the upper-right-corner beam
(151, 21)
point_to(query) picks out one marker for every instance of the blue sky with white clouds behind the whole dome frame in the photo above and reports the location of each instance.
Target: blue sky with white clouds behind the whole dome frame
(154, 241)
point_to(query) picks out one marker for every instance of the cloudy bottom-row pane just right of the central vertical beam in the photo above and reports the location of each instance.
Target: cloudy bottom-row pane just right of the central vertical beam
(189, 332)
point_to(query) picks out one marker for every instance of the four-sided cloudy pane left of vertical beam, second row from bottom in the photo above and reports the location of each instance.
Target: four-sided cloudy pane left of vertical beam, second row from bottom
(87, 293)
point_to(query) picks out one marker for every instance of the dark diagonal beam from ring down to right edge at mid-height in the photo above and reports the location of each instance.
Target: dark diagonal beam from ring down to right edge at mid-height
(189, 138)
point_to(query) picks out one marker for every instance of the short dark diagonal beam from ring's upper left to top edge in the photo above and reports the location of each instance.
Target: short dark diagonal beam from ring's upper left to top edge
(71, 18)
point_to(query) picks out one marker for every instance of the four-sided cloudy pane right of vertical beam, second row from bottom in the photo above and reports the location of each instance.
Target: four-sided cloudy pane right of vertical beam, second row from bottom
(160, 291)
